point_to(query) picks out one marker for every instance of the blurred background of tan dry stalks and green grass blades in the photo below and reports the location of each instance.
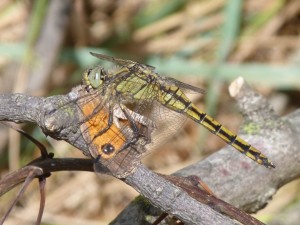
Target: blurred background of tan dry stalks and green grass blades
(44, 47)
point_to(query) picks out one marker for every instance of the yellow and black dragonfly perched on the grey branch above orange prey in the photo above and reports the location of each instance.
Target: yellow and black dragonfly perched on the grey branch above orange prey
(137, 84)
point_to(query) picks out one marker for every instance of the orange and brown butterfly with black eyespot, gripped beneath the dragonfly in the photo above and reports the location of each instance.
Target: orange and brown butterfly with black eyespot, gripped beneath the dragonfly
(108, 147)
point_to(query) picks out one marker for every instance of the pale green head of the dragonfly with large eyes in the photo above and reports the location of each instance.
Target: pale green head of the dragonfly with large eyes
(95, 77)
